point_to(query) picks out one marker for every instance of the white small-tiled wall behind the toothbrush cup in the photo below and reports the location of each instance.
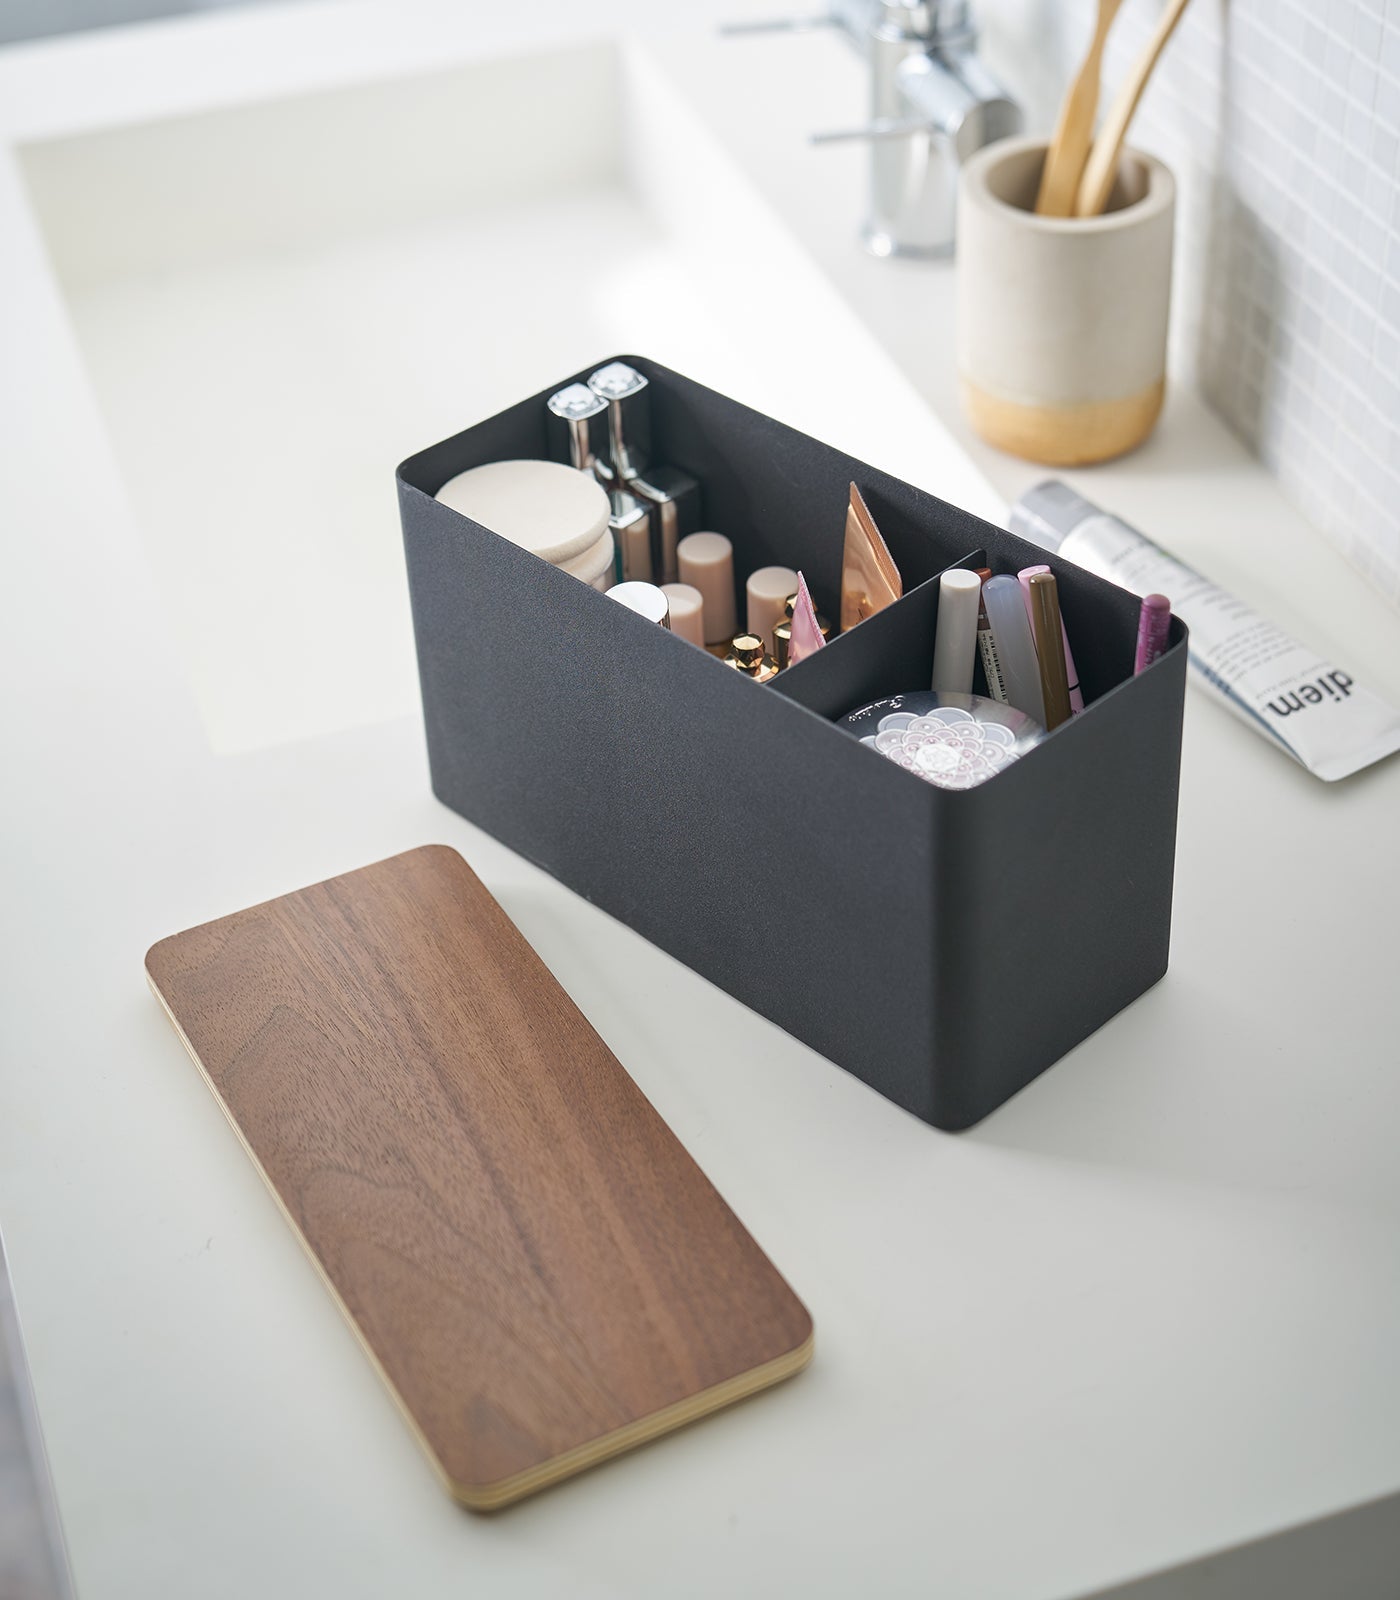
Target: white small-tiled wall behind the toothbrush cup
(1282, 124)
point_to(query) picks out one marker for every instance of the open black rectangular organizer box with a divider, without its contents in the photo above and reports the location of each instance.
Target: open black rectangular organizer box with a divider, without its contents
(945, 946)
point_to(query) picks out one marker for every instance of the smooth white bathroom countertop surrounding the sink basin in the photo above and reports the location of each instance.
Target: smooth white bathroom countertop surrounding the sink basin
(1148, 1310)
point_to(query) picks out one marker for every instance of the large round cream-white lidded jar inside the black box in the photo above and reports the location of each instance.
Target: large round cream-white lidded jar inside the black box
(543, 506)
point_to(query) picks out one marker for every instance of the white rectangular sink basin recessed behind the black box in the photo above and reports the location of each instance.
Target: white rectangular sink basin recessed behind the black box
(279, 302)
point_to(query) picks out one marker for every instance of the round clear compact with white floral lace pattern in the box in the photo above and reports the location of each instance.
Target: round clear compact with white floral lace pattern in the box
(956, 742)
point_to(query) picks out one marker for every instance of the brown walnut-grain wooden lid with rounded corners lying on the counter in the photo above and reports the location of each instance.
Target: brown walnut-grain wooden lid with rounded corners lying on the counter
(532, 1260)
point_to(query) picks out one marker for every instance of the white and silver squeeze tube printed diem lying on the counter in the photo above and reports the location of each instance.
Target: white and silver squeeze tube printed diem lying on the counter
(1318, 713)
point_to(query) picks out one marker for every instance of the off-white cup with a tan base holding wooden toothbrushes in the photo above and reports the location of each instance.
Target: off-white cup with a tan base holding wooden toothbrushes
(1063, 321)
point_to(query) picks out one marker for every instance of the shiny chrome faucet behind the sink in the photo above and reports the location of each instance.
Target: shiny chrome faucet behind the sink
(934, 105)
